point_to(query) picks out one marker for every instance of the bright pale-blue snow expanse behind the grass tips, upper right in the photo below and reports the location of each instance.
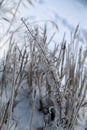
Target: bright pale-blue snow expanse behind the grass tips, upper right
(65, 13)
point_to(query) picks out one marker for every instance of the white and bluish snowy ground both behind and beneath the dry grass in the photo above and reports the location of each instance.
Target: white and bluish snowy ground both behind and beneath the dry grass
(67, 15)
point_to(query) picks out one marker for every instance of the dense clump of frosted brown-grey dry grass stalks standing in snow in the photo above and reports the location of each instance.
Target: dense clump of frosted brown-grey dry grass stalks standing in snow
(58, 76)
